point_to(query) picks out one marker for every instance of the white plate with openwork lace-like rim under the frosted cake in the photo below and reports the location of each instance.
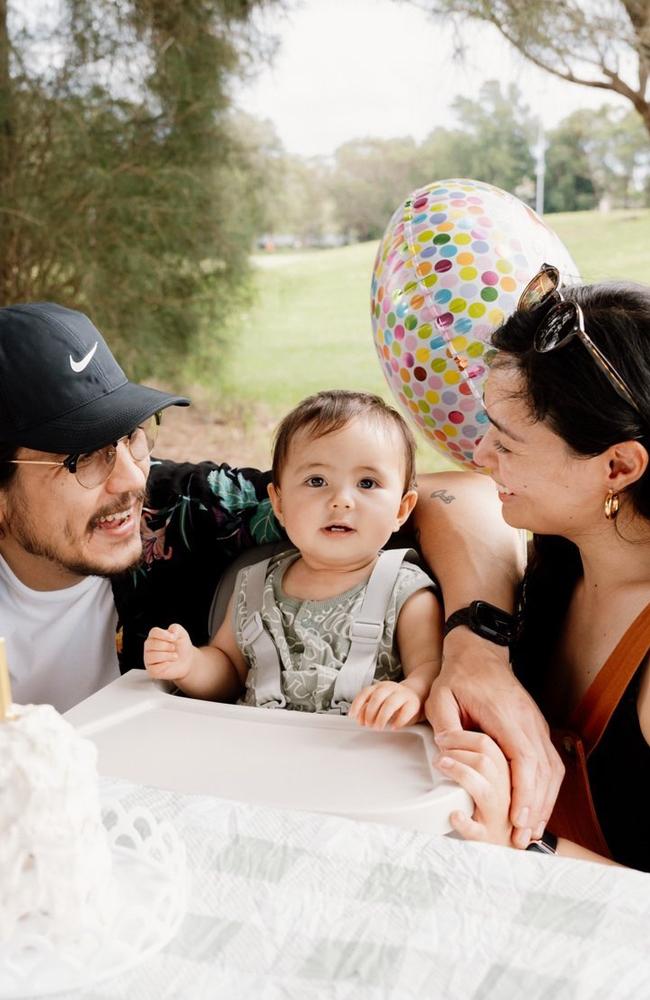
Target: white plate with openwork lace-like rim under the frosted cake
(150, 891)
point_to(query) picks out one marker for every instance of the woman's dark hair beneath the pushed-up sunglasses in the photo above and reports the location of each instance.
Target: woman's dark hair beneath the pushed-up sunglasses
(569, 391)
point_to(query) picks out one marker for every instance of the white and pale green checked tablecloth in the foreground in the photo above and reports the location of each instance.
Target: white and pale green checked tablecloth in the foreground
(301, 906)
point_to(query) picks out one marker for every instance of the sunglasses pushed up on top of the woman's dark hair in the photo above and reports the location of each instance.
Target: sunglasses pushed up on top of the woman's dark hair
(564, 321)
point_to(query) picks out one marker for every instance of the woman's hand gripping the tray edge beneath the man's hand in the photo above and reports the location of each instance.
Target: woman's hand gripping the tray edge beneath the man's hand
(475, 761)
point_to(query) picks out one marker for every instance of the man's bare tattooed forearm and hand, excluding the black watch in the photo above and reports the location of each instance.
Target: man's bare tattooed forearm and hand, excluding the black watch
(475, 555)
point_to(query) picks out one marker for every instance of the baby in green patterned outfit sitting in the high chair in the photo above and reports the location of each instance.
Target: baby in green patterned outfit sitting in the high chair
(333, 625)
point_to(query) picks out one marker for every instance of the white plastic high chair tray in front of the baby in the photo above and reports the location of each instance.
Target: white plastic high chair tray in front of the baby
(293, 760)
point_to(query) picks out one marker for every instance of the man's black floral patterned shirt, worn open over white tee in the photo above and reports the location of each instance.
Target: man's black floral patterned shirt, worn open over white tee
(196, 520)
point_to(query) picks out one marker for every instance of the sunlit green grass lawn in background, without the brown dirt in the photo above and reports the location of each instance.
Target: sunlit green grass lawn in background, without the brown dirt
(309, 326)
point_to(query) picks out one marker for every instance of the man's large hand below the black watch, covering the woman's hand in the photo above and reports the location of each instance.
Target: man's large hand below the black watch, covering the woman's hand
(476, 689)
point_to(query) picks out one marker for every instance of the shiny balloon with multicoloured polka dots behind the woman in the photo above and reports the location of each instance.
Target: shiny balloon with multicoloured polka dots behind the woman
(453, 261)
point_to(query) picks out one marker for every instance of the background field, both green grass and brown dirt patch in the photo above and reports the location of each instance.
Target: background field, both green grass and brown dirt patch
(306, 326)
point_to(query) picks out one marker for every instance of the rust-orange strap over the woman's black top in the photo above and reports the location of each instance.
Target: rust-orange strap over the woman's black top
(590, 717)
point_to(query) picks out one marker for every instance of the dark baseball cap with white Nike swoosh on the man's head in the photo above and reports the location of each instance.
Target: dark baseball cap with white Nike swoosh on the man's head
(61, 389)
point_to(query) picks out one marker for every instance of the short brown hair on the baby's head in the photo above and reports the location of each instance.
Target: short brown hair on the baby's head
(329, 411)
